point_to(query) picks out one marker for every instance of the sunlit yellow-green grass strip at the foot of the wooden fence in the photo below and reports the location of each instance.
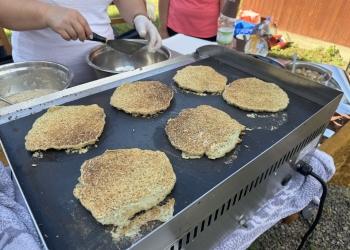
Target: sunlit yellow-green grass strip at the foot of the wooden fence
(330, 55)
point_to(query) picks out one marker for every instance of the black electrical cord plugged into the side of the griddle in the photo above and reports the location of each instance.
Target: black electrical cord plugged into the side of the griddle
(306, 170)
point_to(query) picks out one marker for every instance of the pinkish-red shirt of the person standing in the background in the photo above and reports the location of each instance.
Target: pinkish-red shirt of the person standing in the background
(197, 18)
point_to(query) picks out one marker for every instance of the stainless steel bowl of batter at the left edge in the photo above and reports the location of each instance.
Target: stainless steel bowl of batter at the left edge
(18, 77)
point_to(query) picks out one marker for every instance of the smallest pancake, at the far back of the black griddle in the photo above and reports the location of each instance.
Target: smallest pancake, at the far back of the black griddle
(200, 79)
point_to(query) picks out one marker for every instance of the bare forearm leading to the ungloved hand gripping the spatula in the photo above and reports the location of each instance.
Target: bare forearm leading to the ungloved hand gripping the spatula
(23, 14)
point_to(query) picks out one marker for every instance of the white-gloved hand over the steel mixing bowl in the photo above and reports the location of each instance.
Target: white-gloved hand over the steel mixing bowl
(147, 30)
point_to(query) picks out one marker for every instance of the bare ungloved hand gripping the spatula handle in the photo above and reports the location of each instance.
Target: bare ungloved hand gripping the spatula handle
(68, 23)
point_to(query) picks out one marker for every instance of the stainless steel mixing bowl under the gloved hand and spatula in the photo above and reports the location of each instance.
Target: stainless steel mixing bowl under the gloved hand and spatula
(107, 61)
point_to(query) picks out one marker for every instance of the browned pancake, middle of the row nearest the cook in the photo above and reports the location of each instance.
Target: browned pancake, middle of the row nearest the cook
(142, 98)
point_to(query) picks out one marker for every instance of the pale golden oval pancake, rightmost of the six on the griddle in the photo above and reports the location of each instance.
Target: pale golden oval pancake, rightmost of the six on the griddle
(256, 95)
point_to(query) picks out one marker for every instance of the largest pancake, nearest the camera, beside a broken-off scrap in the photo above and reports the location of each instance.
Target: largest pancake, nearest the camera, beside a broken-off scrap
(120, 183)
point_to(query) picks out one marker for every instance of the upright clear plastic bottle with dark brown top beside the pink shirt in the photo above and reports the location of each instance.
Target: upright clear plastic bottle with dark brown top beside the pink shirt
(226, 23)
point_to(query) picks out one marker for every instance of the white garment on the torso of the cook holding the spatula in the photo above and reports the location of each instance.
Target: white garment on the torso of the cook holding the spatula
(46, 45)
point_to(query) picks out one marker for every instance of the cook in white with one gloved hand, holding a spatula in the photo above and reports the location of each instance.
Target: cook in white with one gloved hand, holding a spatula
(49, 30)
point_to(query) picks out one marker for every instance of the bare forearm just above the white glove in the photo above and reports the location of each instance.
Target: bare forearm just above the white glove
(129, 8)
